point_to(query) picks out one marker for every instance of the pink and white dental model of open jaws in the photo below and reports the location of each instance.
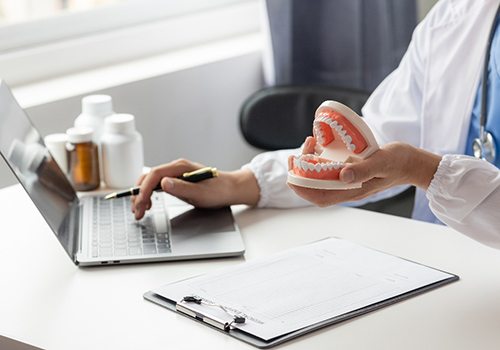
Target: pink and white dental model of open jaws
(345, 138)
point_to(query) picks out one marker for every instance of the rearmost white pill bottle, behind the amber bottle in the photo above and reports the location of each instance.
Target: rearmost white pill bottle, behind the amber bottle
(94, 109)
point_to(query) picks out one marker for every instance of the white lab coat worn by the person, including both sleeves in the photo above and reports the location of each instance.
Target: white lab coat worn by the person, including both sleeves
(427, 102)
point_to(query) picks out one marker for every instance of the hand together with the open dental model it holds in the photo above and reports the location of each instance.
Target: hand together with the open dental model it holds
(344, 155)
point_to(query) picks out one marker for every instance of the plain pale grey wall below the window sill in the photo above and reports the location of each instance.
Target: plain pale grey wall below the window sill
(192, 113)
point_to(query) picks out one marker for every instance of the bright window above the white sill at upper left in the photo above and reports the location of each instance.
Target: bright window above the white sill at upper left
(40, 39)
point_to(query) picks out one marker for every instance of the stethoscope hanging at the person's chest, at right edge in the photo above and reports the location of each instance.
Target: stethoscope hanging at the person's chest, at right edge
(484, 146)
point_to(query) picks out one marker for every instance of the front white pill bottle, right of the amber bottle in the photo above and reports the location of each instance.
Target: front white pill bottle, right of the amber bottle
(122, 151)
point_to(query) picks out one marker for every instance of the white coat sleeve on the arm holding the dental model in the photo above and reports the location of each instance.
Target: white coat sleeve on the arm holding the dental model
(465, 195)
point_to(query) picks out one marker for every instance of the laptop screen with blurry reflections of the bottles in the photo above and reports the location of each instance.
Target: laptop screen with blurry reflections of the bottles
(24, 151)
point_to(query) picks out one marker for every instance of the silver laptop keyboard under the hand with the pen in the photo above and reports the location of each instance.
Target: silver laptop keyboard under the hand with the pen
(116, 233)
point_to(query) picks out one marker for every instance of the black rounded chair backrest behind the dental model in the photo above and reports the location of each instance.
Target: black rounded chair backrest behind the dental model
(281, 117)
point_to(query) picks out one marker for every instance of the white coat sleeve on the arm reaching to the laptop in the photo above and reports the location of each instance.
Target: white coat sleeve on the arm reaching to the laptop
(271, 171)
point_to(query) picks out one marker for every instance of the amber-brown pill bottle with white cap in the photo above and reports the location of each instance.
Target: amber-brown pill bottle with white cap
(83, 159)
